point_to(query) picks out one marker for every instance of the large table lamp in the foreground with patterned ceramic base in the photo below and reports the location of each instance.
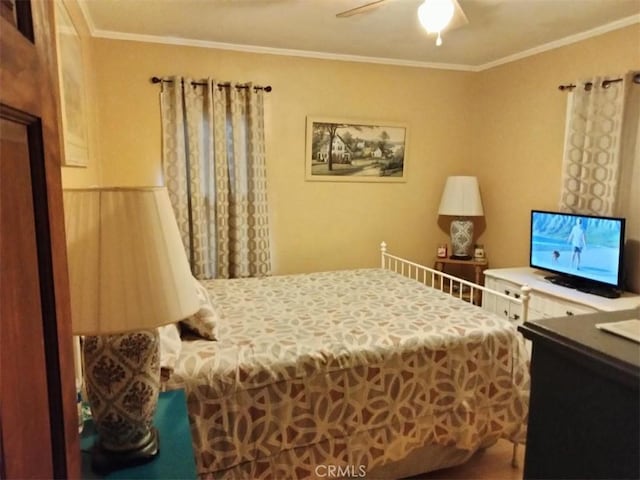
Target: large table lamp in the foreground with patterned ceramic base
(128, 275)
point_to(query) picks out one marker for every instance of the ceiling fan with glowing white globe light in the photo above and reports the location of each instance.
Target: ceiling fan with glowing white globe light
(434, 15)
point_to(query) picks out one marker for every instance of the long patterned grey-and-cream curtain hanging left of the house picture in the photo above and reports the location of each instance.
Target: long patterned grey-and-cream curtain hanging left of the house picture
(215, 172)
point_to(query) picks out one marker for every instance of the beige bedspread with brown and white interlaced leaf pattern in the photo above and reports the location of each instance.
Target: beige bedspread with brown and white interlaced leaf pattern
(348, 368)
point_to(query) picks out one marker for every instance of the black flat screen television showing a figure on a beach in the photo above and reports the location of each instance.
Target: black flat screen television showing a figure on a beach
(583, 251)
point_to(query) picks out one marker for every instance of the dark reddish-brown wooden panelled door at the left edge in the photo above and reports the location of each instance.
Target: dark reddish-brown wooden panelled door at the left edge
(38, 419)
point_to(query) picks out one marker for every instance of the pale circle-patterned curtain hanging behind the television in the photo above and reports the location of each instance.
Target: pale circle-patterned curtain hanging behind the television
(591, 164)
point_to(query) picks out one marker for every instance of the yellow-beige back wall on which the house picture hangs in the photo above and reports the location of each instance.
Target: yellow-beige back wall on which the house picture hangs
(315, 225)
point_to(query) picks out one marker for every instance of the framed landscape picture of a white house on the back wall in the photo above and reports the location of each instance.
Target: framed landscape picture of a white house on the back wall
(340, 150)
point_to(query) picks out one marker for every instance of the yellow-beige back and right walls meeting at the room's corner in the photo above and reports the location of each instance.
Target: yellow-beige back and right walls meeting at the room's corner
(504, 125)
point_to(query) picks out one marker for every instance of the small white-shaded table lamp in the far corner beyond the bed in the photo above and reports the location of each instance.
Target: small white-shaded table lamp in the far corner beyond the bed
(461, 199)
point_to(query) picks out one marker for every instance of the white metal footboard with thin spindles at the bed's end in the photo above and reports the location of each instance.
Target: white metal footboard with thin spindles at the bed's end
(457, 287)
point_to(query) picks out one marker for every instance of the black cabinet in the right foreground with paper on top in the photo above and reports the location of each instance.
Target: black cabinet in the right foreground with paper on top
(584, 418)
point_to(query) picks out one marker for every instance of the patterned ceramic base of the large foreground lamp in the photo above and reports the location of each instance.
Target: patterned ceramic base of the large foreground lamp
(122, 376)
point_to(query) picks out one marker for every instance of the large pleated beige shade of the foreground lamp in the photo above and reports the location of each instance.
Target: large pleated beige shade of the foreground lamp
(127, 265)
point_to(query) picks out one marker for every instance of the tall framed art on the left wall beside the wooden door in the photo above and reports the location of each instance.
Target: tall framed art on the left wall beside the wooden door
(73, 105)
